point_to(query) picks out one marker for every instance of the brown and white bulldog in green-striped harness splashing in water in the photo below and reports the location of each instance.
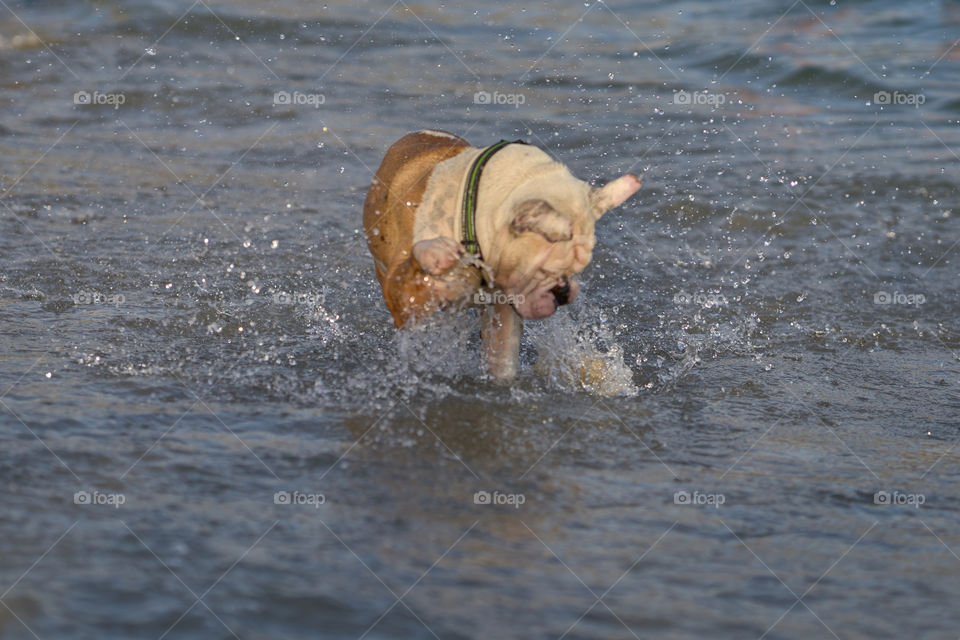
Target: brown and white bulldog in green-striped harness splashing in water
(504, 227)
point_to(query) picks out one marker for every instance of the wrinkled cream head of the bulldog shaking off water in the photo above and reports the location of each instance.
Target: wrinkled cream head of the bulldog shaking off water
(547, 237)
